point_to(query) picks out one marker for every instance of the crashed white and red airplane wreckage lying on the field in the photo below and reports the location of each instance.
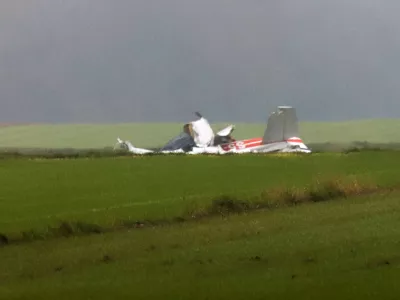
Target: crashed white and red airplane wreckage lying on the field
(197, 137)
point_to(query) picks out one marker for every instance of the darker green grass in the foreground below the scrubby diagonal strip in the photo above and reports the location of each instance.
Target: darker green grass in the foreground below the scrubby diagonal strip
(336, 250)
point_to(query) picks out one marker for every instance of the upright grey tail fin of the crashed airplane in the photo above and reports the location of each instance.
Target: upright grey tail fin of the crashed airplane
(282, 125)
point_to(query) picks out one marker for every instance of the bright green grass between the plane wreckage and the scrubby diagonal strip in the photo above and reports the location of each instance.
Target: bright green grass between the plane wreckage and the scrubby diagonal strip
(40, 192)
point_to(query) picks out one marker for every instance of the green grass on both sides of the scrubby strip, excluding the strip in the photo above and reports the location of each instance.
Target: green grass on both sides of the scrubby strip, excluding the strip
(337, 249)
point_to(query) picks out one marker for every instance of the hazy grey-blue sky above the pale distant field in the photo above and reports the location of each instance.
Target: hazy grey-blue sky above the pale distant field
(234, 60)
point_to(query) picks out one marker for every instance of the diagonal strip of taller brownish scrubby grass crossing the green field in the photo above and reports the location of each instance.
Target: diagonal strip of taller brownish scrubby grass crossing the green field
(221, 206)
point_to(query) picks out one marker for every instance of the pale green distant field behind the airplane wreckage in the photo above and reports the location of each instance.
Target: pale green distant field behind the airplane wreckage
(156, 134)
